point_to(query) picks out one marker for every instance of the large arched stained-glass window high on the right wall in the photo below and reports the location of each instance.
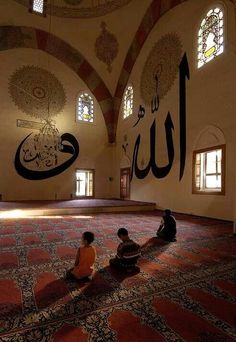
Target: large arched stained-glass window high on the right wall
(211, 36)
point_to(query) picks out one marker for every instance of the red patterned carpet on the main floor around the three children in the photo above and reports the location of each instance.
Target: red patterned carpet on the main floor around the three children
(185, 291)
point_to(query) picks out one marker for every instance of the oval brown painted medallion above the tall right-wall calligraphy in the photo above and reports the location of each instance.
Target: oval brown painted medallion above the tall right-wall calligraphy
(161, 67)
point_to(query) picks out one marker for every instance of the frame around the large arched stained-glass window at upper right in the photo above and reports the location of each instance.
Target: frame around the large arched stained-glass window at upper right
(222, 8)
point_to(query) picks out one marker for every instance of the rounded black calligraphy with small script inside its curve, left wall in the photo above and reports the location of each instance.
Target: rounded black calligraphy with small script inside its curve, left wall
(36, 163)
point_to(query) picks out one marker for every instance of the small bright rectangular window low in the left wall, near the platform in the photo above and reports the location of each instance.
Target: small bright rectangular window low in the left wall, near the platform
(84, 183)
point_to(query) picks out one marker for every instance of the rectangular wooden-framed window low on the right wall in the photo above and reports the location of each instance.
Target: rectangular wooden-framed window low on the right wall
(208, 175)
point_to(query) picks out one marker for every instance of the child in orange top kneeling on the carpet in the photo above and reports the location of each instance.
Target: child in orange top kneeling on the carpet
(85, 259)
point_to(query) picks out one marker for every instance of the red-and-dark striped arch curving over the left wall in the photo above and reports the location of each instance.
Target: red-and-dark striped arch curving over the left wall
(12, 37)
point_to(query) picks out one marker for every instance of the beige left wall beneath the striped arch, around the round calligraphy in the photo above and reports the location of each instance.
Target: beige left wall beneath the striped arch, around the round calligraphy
(94, 149)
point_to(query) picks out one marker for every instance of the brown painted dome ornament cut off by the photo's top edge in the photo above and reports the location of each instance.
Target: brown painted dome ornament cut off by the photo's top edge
(80, 8)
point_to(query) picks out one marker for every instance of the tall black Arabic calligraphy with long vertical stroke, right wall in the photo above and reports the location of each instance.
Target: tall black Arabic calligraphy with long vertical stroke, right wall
(161, 172)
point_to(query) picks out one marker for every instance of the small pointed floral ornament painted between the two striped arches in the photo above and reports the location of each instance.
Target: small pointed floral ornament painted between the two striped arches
(106, 47)
